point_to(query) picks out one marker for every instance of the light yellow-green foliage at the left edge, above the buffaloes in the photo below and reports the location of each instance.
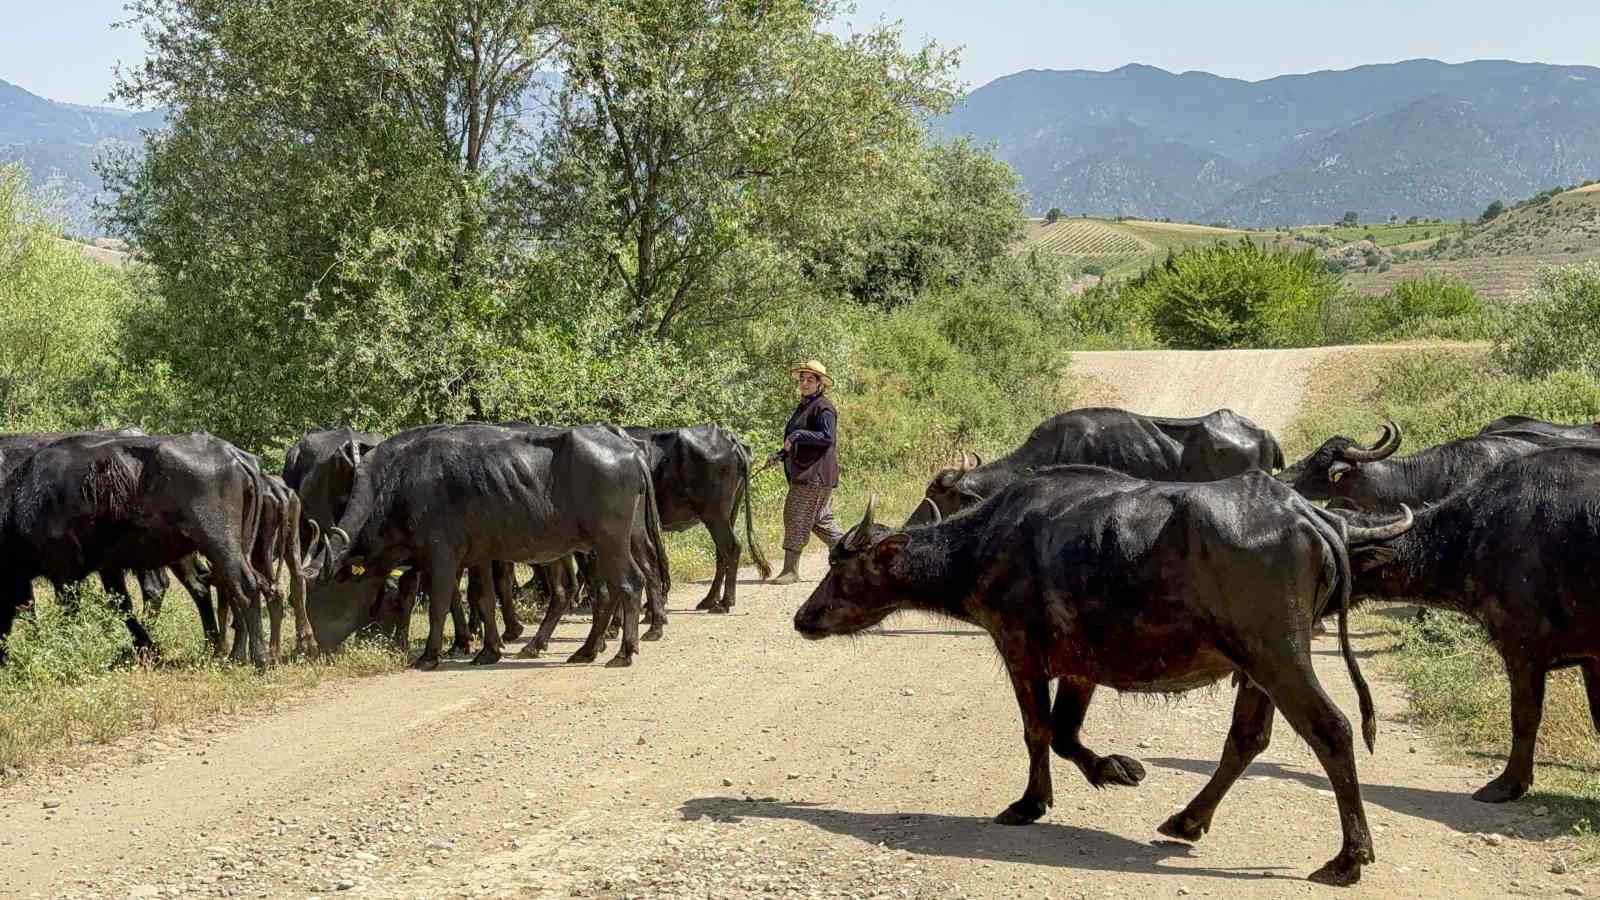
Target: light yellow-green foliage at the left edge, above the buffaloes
(57, 316)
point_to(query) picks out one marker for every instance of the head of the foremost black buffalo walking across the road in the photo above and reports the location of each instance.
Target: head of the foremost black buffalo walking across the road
(858, 590)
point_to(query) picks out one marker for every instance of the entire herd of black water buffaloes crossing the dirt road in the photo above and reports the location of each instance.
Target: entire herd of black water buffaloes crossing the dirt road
(1140, 553)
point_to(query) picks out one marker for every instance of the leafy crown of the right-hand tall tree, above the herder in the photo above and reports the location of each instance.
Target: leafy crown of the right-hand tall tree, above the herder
(697, 139)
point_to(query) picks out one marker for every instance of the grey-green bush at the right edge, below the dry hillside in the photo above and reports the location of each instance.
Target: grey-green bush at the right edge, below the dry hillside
(1559, 326)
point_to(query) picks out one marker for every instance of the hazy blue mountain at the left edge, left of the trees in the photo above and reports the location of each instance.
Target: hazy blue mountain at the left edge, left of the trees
(58, 143)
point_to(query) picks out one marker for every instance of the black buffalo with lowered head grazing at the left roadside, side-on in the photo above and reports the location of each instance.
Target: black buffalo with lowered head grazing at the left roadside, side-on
(462, 497)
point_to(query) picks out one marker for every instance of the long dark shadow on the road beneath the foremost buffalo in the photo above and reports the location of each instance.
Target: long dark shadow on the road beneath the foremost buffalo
(974, 838)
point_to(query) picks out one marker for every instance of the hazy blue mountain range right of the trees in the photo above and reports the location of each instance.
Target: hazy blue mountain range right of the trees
(1417, 139)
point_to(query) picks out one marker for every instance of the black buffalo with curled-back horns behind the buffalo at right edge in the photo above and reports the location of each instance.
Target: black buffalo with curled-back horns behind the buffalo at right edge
(1370, 480)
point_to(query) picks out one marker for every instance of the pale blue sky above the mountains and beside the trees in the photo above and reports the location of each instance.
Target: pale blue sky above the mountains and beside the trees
(66, 49)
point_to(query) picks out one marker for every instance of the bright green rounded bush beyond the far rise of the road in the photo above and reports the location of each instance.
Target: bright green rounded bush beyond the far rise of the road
(1234, 297)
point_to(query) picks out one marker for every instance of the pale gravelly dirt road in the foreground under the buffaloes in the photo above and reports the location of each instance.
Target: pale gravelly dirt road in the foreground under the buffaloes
(737, 760)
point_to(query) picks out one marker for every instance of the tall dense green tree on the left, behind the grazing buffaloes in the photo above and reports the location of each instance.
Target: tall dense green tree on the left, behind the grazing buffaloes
(319, 206)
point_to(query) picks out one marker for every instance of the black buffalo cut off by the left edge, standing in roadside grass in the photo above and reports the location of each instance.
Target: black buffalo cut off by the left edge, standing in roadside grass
(102, 504)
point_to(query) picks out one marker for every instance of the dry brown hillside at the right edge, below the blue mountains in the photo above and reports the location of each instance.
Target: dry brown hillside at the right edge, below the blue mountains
(1503, 257)
